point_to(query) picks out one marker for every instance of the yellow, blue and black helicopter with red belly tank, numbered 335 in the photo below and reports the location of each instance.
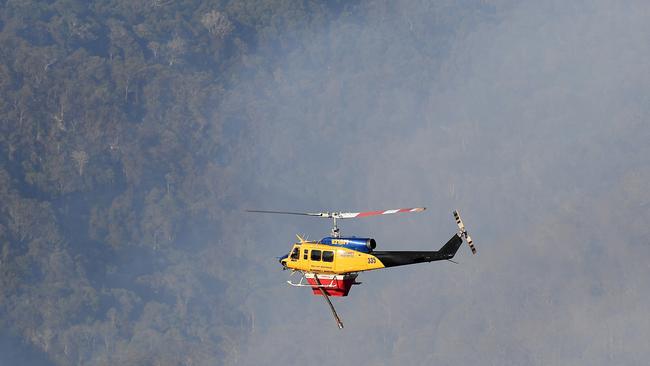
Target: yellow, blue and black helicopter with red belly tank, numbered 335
(330, 266)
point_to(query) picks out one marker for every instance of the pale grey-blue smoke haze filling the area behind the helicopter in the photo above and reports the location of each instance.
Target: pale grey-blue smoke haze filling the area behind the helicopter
(531, 118)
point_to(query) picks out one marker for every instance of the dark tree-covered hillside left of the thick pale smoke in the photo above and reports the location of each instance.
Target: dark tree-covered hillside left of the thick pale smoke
(114, 172)
